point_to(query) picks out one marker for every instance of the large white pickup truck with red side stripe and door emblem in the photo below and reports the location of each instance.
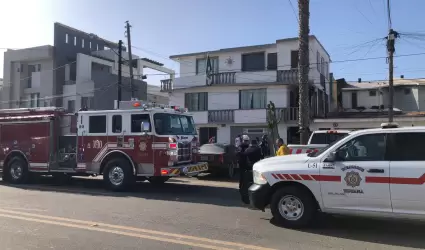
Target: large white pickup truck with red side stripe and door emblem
(372, 172)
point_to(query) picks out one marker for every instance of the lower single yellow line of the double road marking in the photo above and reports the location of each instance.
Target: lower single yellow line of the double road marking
(181, 242)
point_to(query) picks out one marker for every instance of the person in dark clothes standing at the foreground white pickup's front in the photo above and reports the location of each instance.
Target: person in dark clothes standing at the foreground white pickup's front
(253, 155)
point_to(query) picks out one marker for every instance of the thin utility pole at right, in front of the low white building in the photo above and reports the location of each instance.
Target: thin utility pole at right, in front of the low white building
(392, 35)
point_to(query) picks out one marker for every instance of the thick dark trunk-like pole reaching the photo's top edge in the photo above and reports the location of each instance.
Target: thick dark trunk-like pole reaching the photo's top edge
(303, 70)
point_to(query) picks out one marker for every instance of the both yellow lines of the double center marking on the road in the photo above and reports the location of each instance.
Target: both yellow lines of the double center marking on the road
(89, 225)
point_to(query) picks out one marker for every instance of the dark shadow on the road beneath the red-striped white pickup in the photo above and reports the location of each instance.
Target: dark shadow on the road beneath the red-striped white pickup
(382, 231)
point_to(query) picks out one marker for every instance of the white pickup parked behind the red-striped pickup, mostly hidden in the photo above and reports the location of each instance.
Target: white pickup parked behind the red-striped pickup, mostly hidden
(318, 139)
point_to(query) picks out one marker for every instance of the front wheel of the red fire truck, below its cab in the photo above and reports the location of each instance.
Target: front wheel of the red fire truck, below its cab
(118, 174)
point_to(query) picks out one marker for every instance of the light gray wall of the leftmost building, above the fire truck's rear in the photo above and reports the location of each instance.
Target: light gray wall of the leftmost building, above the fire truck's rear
(16, 75)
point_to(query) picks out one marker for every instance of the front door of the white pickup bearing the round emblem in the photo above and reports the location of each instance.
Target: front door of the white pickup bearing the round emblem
(348, 183)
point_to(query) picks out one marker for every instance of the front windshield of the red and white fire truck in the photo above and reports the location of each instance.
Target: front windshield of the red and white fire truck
(174, 124)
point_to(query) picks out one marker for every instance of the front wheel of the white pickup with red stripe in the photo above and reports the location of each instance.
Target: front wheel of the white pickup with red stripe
(292, 207)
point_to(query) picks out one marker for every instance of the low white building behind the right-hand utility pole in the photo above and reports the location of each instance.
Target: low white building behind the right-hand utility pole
(365, 105)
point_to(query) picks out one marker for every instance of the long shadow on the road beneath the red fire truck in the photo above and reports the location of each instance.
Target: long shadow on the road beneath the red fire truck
(180, 190)
